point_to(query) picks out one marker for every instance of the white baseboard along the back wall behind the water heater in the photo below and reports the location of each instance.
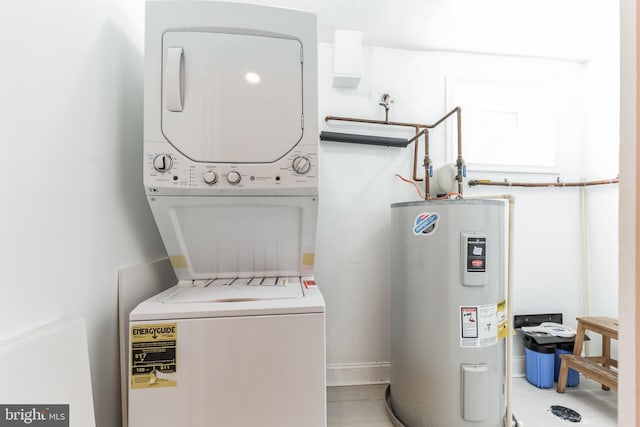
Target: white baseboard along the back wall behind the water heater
(346, 374)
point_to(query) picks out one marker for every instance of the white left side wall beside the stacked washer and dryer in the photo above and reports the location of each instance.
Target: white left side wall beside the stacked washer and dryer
(73, 208)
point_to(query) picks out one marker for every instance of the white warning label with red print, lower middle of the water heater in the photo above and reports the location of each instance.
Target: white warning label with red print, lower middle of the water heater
(478, 326)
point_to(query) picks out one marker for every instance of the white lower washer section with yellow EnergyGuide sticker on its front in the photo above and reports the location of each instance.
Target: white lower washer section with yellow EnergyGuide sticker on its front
(242, 363)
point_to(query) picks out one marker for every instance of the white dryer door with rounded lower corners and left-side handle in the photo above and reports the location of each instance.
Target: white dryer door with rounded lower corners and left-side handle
(231, 98)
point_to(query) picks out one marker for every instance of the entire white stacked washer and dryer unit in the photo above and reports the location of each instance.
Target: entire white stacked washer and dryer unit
(230, 173)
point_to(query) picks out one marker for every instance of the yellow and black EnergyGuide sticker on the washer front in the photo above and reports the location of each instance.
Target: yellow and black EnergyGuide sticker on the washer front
(153, 355)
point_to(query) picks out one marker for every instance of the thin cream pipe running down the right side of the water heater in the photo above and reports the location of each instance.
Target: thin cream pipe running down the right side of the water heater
(512, 202)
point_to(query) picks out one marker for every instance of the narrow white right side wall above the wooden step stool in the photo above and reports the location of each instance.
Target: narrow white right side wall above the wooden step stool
(602, 155)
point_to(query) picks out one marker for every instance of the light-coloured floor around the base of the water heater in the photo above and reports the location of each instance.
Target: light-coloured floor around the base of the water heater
(359, 406)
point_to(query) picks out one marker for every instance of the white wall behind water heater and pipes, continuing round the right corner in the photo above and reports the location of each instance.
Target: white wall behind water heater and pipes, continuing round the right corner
(358, 184)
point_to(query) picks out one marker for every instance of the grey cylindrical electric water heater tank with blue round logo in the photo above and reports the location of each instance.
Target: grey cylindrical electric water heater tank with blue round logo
(448, 313)
